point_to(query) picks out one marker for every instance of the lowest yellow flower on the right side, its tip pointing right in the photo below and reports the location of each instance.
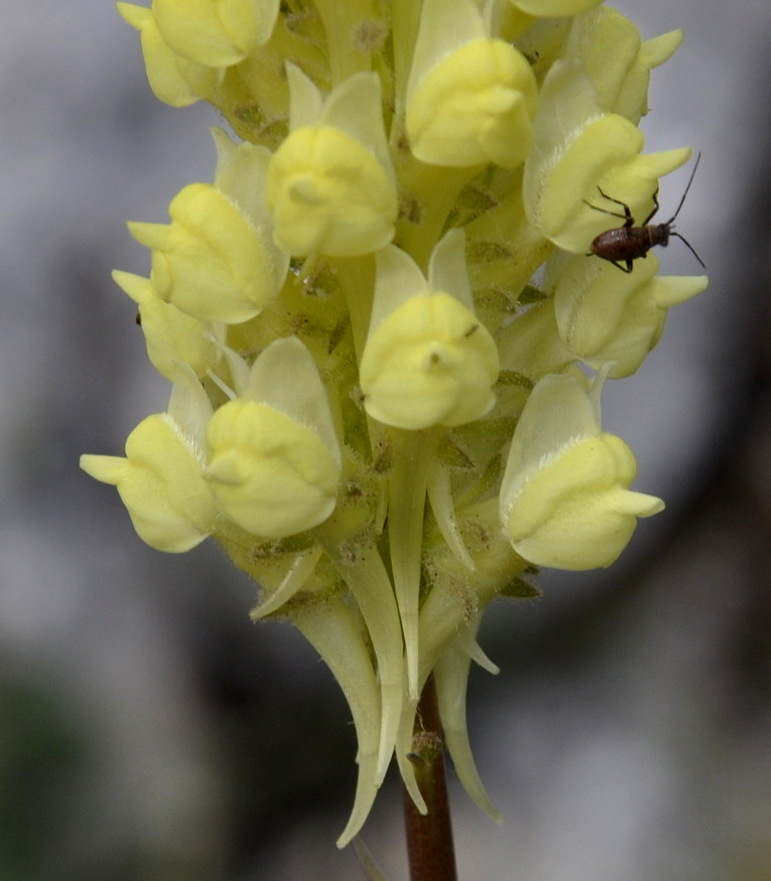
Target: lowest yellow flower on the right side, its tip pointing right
(564, 498)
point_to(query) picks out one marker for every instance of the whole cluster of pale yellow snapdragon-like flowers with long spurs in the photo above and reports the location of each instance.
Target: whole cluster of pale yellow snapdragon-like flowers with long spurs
(374, 317)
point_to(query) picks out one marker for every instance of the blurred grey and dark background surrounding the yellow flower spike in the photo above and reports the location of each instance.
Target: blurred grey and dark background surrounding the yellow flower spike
(149, 731)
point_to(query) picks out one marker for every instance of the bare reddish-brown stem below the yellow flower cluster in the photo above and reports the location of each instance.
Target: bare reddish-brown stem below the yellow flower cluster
(429, 838)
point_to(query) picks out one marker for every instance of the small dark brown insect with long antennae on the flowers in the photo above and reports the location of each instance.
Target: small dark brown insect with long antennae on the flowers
(627, 243)
